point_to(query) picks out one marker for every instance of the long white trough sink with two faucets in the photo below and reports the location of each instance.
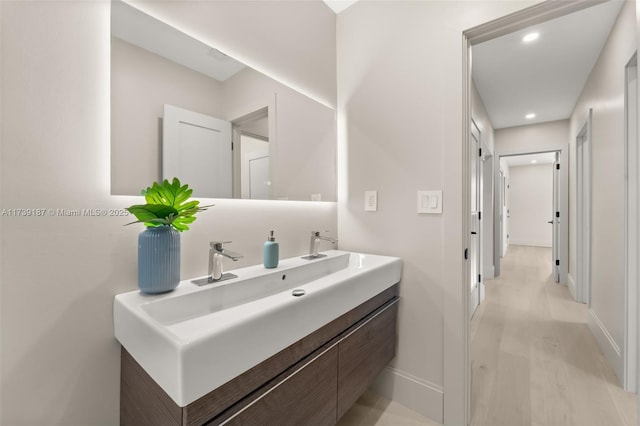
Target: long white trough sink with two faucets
(195, 339)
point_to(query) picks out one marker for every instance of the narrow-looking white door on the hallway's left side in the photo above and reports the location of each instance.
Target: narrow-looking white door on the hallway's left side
(474, 250)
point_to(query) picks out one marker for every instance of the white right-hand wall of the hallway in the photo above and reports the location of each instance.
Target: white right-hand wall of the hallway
(604, 92)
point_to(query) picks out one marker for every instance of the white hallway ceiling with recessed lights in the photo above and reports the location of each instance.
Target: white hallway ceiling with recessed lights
(545, 76)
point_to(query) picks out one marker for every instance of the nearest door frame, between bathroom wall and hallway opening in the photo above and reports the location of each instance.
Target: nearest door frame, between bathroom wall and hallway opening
(457, 371)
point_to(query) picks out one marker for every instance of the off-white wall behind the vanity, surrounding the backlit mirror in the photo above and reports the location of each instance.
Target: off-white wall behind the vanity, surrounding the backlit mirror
(60, 362)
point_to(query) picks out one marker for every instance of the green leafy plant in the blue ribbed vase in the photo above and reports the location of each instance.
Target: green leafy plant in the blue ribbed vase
(168, 204)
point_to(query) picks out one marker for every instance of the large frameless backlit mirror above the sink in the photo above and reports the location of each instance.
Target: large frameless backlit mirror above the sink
(182, 108)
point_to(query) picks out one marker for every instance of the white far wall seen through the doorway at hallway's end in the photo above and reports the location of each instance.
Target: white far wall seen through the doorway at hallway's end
(531, 205)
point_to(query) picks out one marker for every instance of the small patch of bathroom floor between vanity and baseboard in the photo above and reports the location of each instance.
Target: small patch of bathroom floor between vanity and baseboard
(372, 409)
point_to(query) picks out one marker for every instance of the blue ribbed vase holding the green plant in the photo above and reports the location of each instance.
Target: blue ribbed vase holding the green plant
(158, 259)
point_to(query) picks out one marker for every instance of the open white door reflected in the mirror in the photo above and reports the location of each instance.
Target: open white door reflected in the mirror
(196, 148)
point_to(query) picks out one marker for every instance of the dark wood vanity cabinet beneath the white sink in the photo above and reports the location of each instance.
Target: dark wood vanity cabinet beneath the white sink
(312, 382)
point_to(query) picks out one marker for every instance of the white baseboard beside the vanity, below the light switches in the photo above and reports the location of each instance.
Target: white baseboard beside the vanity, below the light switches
(412, 392)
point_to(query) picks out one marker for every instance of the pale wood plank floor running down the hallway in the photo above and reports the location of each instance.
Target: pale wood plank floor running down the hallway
(533, 358)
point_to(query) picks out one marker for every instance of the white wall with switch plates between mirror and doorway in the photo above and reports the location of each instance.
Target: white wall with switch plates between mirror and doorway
(399, 129)
